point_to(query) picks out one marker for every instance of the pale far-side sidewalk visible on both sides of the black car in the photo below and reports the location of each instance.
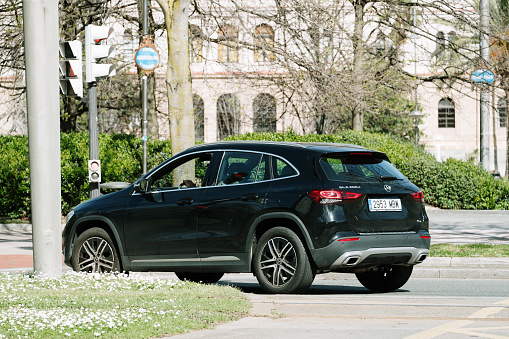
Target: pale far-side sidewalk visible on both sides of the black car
(16, 255)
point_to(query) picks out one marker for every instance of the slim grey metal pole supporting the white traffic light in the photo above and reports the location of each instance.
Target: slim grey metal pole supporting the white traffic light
(93, 137)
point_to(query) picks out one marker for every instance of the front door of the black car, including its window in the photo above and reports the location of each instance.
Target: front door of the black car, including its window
(161, 223)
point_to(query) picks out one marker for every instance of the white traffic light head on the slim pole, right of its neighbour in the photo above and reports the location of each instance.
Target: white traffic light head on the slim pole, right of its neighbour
(95, 52)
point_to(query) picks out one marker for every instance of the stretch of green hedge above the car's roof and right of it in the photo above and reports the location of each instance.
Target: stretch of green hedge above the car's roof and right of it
(452, 184)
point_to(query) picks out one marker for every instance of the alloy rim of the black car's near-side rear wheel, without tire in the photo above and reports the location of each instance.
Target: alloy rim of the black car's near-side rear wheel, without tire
(278, 261)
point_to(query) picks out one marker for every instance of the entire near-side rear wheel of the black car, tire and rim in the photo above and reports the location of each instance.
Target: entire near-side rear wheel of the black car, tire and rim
(280, 262)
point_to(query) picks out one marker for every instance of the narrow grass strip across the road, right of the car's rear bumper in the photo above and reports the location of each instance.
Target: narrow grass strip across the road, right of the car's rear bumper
(469, 250)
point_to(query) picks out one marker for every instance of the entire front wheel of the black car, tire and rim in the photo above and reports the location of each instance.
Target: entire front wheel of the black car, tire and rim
(95, 252)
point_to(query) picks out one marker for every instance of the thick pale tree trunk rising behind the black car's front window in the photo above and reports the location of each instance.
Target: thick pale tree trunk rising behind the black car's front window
(178, 81)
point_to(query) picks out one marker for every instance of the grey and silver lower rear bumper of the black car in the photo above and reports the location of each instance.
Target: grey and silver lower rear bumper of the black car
(373, 250)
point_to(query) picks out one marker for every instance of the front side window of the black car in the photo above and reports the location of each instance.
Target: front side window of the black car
(173, 175)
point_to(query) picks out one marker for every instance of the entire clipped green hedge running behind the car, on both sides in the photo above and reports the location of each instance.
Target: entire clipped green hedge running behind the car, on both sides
(449, 184)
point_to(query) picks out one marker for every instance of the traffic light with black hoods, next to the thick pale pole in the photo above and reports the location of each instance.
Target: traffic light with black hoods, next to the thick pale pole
(71, 68)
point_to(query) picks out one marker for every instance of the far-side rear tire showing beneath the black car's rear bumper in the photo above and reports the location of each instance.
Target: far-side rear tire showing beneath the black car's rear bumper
(387, 279)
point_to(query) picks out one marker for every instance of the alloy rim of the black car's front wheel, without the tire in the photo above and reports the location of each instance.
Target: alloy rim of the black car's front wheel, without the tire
(96, 256)
